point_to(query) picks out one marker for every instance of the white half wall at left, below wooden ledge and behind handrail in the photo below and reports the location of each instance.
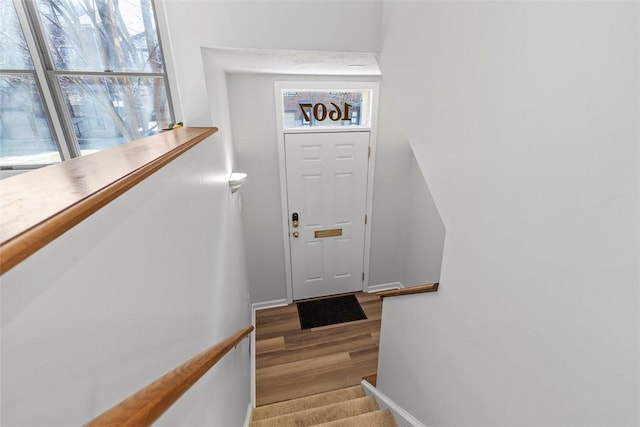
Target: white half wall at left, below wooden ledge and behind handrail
(144, 284)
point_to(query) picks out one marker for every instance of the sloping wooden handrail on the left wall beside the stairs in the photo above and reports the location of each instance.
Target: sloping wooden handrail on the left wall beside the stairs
(150, 402)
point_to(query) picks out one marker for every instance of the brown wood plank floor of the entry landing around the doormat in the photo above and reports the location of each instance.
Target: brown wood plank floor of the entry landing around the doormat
(292, 362)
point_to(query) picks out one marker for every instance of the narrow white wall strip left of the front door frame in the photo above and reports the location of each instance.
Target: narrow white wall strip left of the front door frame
(253, 116)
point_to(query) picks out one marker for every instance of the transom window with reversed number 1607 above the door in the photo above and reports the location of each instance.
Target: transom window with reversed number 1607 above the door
(309, 108)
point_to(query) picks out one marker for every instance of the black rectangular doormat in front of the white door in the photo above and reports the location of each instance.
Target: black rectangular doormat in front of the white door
(329, 311)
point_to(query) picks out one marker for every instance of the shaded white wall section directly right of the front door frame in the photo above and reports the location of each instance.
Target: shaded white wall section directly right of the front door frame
(407, 230)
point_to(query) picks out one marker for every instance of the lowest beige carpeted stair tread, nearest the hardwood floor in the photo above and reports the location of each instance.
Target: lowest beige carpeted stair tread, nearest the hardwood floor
(308, 402)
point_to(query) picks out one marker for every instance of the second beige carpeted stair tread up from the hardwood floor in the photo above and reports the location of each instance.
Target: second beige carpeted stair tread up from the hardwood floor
(321, 414)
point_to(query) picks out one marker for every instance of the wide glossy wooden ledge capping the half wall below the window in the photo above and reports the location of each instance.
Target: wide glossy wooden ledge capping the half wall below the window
(39, 206)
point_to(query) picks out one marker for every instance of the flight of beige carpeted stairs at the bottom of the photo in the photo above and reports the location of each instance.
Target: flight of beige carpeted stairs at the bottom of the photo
(339, 408)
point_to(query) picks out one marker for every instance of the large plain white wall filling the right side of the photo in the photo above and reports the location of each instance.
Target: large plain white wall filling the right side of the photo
(524, 120)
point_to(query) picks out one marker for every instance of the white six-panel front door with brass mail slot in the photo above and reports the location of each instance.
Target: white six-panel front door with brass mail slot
(326, 198)
